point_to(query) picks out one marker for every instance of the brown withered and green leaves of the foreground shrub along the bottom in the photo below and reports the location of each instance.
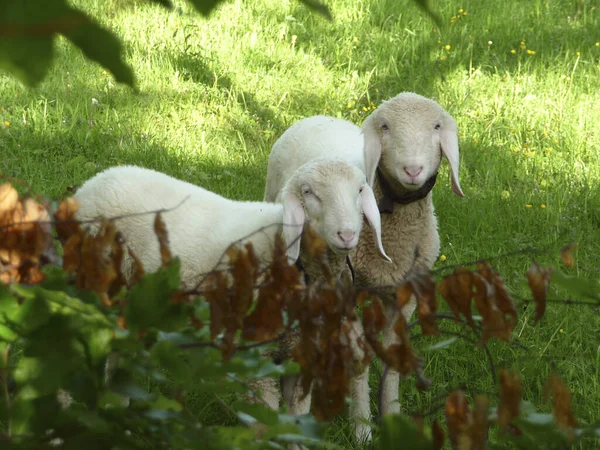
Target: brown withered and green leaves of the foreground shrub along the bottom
(60, 318)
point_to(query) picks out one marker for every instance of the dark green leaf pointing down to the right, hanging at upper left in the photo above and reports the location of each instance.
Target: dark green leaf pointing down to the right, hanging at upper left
(99, 45)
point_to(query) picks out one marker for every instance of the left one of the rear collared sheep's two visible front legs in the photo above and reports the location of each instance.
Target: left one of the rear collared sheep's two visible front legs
(360, 408)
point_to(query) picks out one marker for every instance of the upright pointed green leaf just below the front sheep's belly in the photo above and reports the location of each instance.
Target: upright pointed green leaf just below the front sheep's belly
(148, 302)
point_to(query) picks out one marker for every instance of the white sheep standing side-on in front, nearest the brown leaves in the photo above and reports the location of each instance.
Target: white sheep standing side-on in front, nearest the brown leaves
(330, 194)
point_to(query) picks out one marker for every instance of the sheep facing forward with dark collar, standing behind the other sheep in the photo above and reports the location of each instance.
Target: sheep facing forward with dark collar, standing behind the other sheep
(399, 149)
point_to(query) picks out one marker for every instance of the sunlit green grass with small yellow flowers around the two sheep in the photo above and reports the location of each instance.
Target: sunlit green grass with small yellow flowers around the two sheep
(216, 94)
